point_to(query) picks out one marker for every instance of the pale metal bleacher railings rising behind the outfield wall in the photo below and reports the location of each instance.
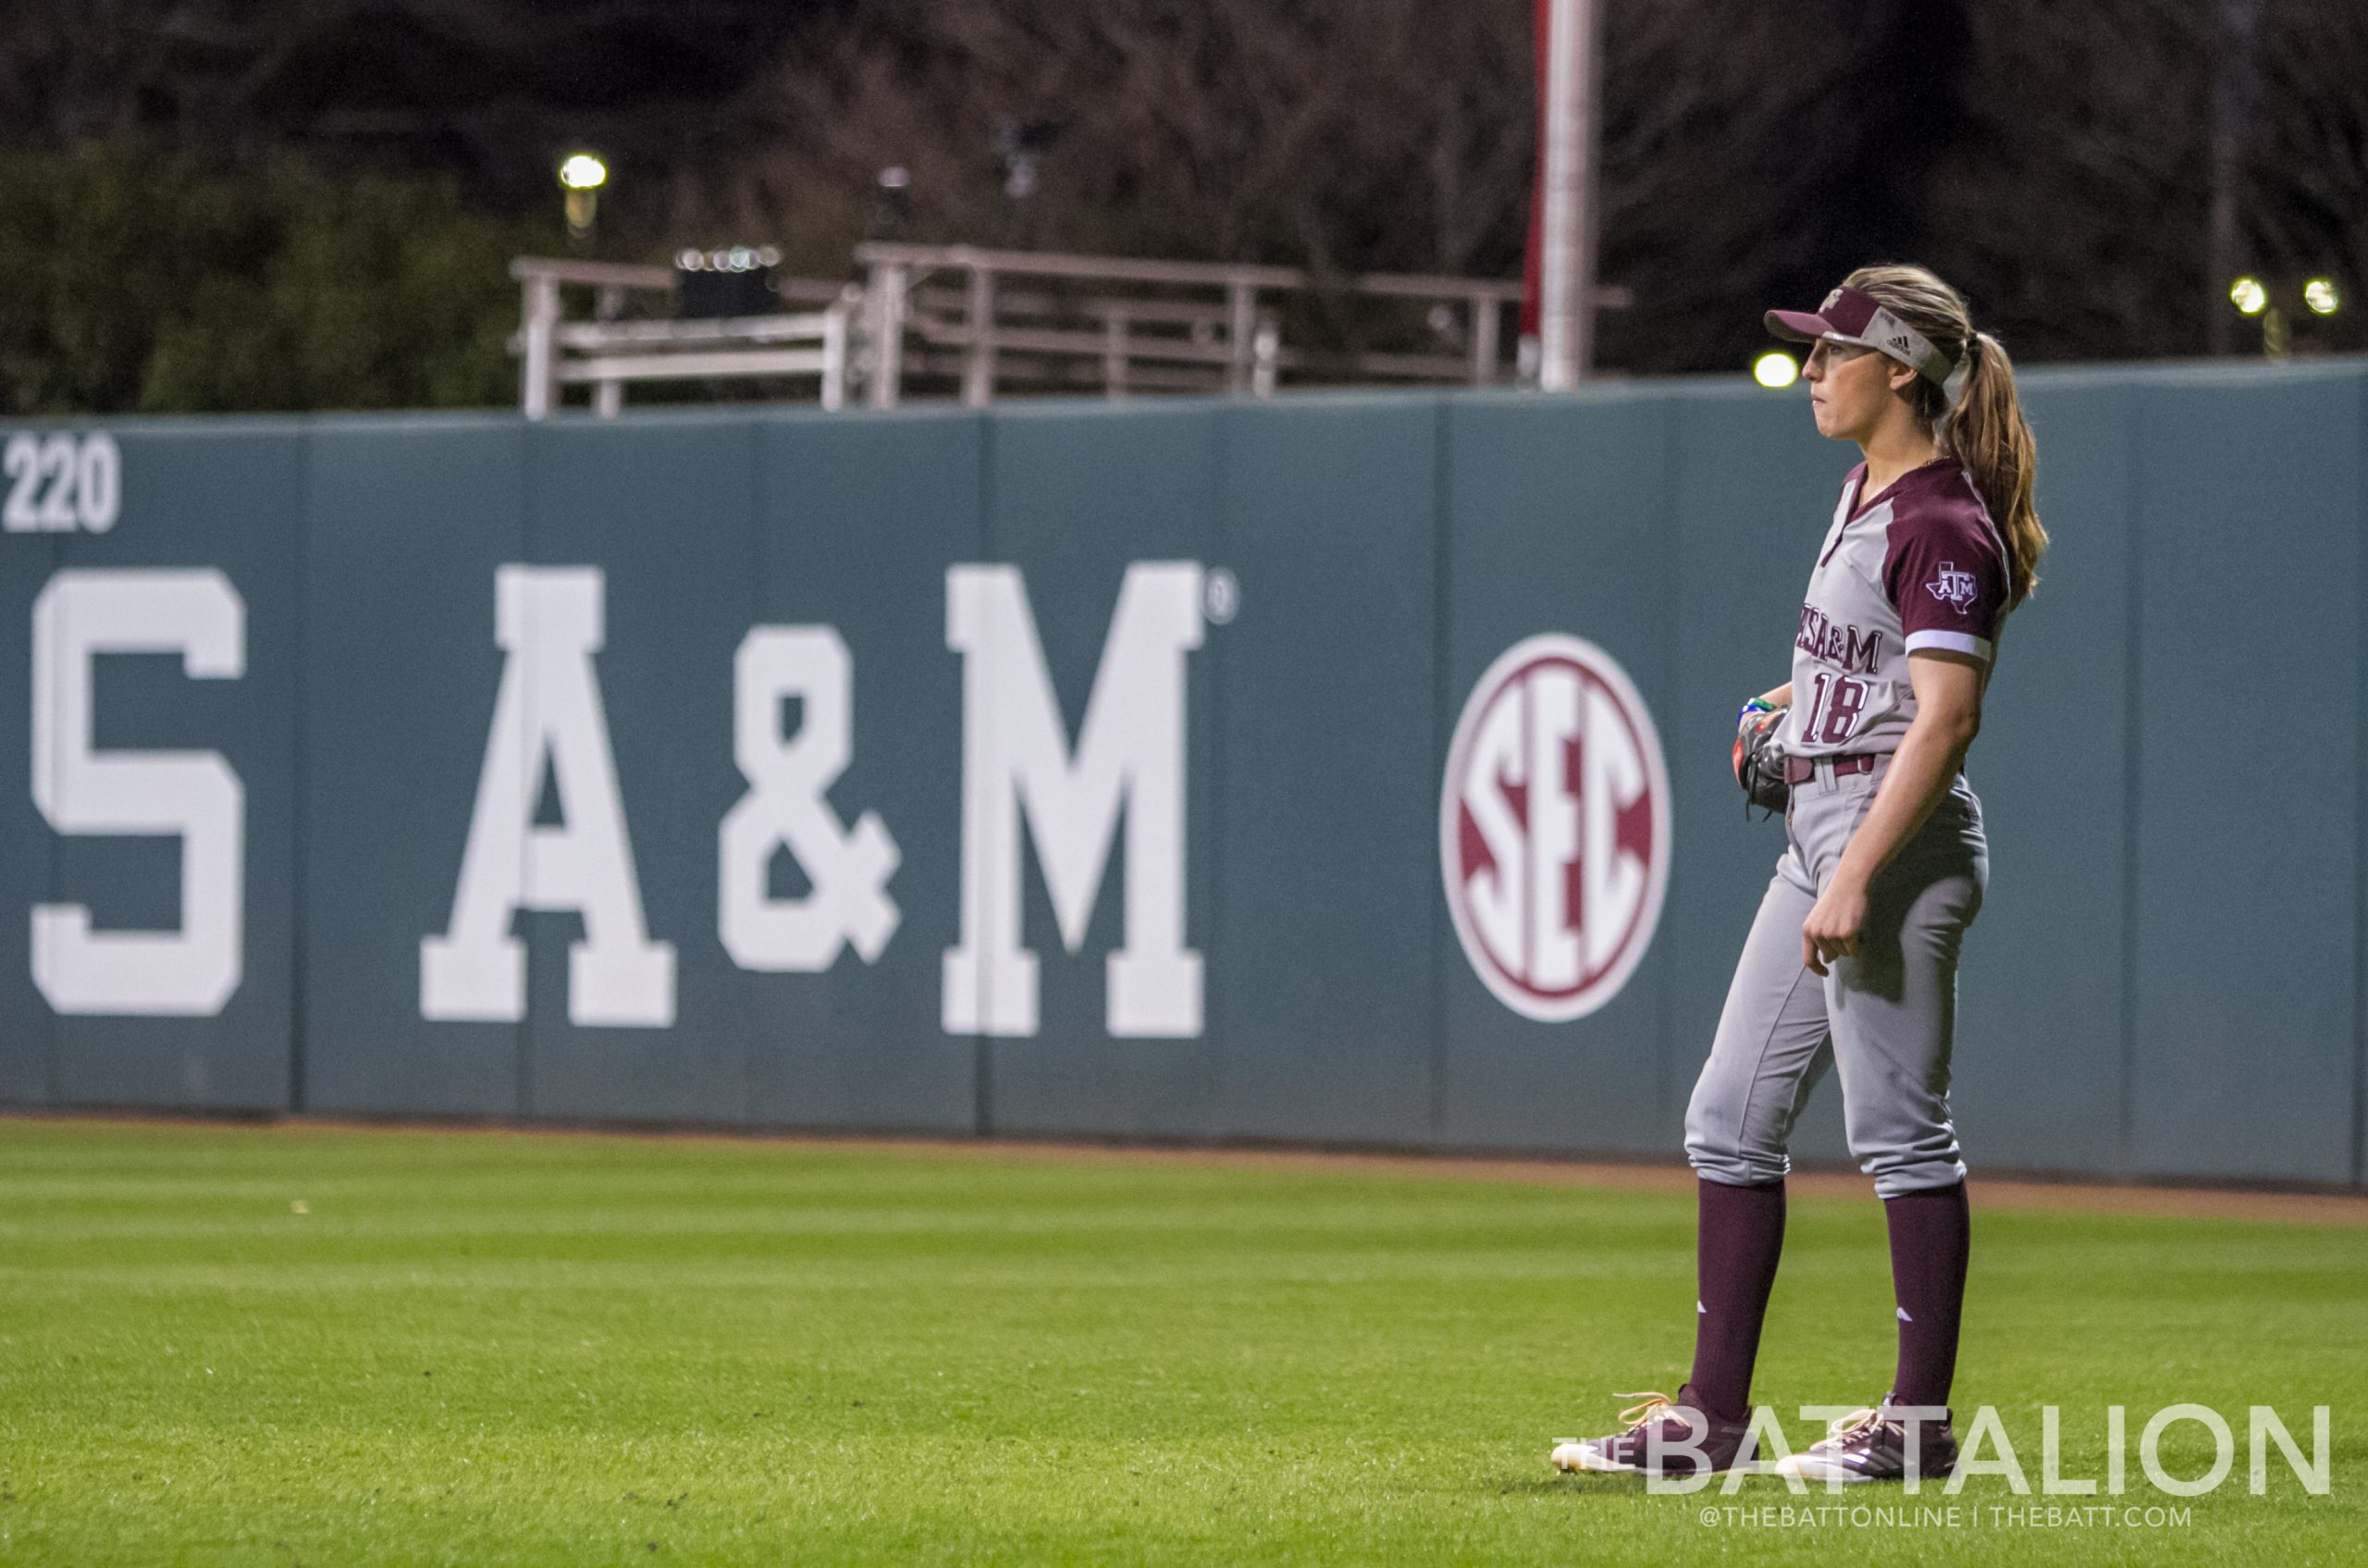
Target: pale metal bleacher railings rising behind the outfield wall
(1003, 321)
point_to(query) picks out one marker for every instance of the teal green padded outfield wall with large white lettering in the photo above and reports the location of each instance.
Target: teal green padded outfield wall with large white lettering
(2168, 977)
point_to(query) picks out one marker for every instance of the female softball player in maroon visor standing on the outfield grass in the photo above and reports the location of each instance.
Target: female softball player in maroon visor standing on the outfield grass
(1853, 958)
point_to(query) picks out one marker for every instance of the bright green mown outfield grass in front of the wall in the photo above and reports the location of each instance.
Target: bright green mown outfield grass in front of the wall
(574, 1349)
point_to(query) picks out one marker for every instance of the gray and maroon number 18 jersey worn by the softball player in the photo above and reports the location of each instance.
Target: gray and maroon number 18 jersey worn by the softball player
(1919, 567)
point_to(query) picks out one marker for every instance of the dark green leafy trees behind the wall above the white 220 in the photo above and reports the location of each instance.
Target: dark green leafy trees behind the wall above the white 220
(143, 281)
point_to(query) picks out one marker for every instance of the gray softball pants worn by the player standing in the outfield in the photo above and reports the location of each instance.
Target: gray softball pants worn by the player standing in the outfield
(1886, 1017)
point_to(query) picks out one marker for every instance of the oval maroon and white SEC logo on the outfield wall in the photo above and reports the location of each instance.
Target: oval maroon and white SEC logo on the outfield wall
(1555, 828)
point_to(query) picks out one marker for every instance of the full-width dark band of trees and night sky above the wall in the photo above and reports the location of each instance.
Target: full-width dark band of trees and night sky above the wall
(300, 158)
